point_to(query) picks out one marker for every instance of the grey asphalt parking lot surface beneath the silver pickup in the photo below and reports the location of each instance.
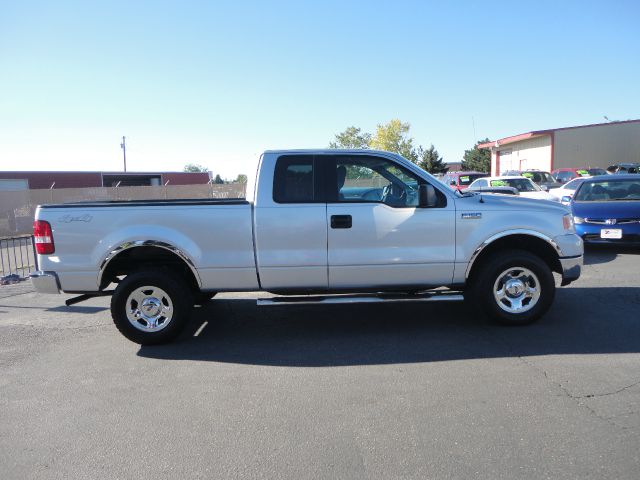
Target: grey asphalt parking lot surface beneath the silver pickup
(360, 391)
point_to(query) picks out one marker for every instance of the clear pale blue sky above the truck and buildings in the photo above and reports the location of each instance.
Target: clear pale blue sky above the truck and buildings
(216, 83)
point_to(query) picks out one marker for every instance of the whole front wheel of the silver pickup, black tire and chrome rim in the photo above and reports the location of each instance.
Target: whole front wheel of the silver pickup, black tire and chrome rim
(526, 273)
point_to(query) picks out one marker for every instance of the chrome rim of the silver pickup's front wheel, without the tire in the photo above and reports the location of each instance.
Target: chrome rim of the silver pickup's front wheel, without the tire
(517, 290)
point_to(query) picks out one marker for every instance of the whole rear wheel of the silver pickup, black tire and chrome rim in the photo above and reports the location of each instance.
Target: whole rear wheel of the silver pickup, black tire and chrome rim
(167, 297)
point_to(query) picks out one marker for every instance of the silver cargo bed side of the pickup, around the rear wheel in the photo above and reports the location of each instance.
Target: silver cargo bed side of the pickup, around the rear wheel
(215, 236)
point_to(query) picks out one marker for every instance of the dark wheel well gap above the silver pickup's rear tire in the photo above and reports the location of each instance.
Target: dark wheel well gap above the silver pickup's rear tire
(138, 258)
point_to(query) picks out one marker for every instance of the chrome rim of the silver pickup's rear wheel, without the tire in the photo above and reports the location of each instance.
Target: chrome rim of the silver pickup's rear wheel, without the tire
(149, 308)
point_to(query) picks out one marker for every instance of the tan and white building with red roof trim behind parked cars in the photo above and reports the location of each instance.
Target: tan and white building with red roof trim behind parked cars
(598, 145)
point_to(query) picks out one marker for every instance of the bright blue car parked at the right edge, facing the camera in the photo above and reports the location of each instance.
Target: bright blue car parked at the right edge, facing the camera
(606, 209)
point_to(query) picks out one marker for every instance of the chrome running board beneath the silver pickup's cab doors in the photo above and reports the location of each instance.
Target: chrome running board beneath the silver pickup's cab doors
(445, 296)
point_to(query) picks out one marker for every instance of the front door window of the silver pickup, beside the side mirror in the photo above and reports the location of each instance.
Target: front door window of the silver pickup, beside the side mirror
(375, 179)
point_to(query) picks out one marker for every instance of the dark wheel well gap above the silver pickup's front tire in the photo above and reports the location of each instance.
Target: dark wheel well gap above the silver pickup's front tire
(534, 245)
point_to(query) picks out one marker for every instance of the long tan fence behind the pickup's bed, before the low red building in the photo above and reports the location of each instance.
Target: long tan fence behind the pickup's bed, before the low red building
(17, 207)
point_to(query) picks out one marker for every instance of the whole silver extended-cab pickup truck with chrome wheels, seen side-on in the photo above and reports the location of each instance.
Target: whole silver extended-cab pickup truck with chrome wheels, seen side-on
(317, 226)
